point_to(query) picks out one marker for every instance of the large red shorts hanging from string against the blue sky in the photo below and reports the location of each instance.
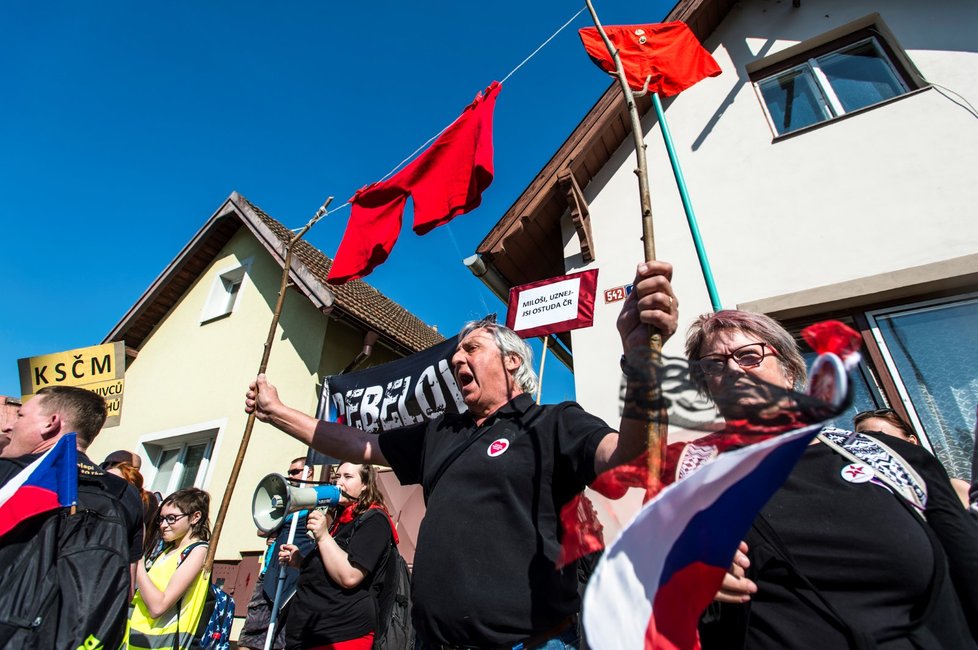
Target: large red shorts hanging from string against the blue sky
(445, 181)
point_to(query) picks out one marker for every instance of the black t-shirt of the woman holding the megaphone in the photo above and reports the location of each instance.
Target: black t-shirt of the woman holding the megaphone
(322, 611)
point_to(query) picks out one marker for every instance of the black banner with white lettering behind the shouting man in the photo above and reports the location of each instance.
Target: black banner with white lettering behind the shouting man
(393, 395)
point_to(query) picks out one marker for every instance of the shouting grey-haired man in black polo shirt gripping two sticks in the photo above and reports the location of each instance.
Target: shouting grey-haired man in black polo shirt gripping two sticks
(495, 479)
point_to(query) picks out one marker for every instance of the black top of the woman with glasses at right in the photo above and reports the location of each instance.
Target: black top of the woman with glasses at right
(867, 553)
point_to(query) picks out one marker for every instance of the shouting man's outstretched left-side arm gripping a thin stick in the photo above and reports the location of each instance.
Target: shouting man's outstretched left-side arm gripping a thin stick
(330, 438)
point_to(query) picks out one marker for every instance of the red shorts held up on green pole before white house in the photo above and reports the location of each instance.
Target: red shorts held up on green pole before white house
(668, 52)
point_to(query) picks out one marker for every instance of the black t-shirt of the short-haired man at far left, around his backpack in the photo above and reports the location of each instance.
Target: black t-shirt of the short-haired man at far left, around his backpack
(92, 478)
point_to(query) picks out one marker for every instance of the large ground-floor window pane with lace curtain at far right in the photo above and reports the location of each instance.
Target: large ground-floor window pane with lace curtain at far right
(935, 350)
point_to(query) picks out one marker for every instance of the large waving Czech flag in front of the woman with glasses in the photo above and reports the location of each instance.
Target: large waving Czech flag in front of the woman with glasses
(657, 578)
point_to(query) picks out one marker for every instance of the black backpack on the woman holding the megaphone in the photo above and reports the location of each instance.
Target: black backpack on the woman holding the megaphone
(394, 628)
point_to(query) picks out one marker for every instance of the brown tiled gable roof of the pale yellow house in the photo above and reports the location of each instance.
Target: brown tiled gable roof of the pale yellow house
(355, 302)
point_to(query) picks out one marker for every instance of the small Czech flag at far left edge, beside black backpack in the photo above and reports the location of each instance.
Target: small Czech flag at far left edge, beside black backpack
(49, 482)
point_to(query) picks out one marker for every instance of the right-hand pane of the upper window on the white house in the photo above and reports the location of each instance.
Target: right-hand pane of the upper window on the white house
(860, 76)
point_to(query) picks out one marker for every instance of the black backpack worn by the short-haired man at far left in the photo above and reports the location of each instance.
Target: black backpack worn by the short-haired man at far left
(64, 578)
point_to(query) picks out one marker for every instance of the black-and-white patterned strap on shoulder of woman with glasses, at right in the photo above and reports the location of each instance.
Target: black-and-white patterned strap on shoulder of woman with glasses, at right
(889, 467)
